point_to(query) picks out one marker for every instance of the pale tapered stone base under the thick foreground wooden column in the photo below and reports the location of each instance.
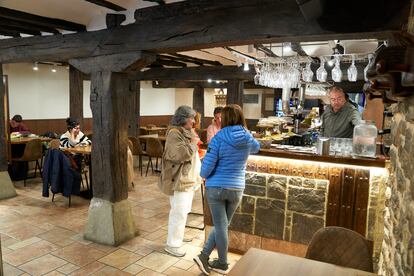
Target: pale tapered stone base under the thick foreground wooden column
(110, 223)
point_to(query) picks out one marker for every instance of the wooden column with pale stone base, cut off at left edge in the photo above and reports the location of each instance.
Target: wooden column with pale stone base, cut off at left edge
(7, 189)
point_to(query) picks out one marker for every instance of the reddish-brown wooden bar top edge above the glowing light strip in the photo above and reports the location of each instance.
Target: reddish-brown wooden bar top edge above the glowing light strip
(357, 161)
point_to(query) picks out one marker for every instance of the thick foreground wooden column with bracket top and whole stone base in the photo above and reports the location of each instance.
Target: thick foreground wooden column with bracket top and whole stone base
(110, 219)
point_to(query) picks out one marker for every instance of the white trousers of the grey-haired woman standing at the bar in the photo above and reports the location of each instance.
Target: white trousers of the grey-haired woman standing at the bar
(180, 207)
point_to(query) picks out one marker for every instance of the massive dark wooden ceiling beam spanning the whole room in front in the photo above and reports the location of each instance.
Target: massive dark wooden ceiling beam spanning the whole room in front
(262, 21)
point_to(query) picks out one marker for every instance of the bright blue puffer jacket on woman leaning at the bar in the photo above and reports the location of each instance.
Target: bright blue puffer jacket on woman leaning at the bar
(225, 162)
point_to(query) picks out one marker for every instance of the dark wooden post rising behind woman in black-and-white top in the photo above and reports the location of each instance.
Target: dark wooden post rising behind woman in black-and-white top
(76, 94)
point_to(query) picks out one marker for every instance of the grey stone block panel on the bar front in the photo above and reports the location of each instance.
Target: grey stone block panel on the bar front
(278, 207)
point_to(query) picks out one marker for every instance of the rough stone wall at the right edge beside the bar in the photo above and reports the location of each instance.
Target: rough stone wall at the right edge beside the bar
(397, 256)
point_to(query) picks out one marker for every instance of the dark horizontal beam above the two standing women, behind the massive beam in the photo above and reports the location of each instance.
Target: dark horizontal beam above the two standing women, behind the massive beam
(201, 73)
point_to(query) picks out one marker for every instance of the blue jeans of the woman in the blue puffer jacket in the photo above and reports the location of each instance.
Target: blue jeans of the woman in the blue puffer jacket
(223, 203)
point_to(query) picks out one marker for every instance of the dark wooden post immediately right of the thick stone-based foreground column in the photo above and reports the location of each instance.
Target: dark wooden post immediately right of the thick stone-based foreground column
(134, 108)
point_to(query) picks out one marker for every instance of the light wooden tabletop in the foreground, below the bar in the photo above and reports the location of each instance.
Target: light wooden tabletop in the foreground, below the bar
(262, 262)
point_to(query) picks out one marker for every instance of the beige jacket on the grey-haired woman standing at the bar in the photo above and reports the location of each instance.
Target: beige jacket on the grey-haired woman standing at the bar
(177, 161)
